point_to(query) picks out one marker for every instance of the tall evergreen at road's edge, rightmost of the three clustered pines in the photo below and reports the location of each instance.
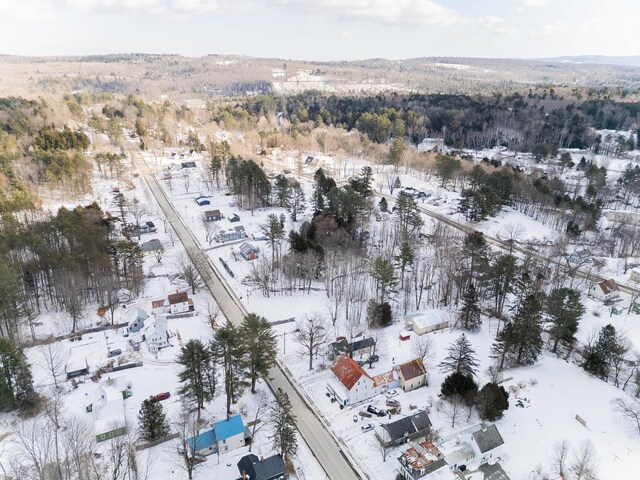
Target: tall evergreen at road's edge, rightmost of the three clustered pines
(260, 346)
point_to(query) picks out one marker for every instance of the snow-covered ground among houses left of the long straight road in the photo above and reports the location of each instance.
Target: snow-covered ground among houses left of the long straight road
(159, 372)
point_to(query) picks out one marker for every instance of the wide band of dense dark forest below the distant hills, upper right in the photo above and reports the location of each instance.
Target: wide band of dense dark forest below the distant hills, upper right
(537, 122)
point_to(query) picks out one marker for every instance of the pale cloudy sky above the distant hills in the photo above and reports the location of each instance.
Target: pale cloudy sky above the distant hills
(322, 29)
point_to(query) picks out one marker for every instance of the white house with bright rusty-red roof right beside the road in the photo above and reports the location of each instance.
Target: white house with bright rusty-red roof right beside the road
(351, 383)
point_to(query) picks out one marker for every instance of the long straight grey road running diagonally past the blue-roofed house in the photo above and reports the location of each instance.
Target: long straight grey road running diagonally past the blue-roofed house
(320, 441)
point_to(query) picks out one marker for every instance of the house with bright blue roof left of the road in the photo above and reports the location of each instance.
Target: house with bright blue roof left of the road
(224, 435)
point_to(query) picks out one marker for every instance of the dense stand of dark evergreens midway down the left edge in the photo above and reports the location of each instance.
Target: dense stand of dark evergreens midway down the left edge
(64, 262)
